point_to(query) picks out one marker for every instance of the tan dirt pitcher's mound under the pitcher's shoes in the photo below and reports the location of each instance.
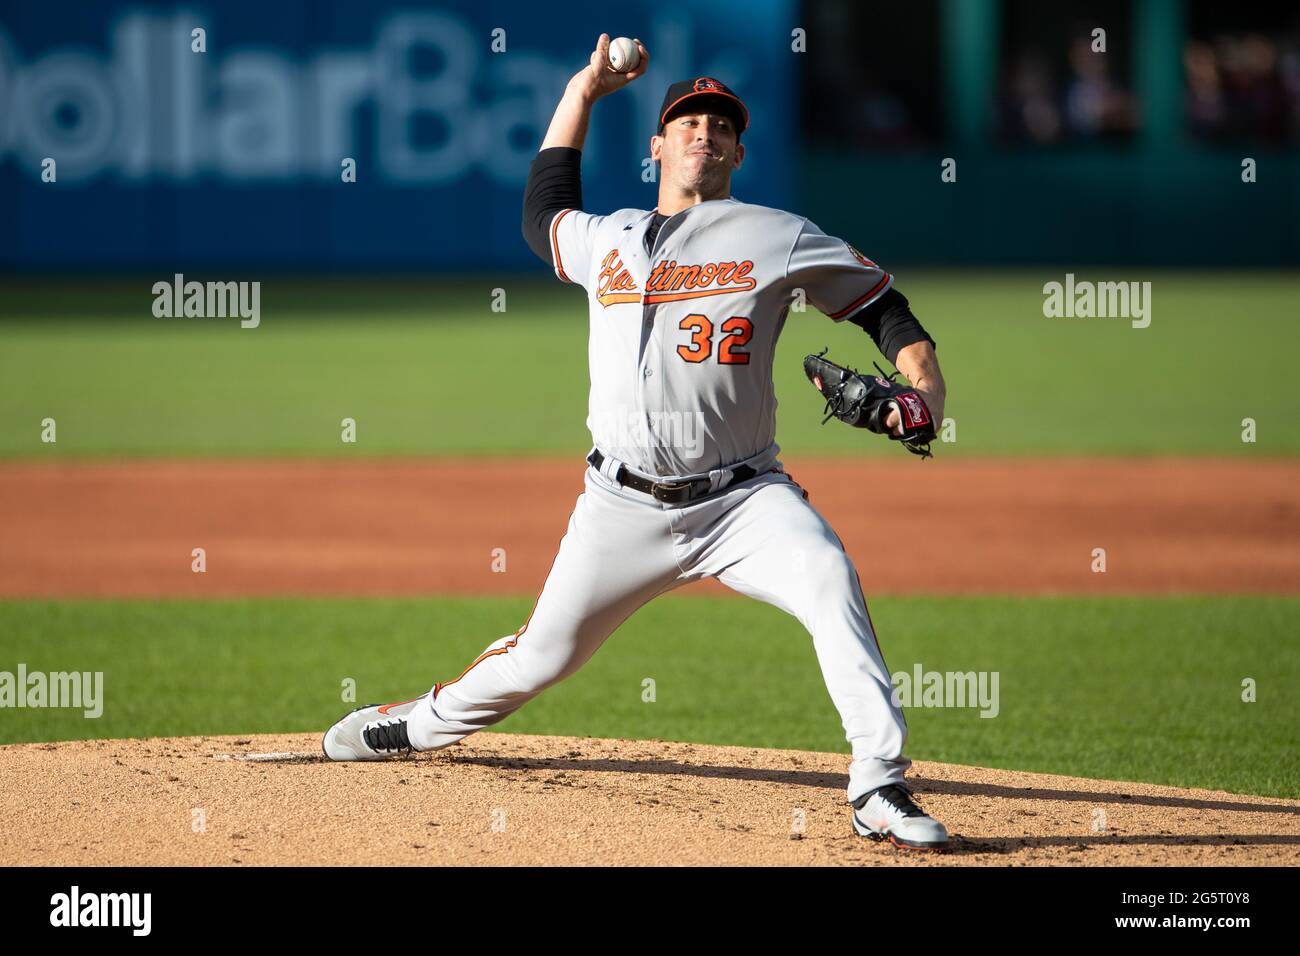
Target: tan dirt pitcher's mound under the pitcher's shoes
(513, 799)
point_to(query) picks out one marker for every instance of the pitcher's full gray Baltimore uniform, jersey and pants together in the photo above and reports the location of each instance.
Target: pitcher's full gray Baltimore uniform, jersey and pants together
(682, 348)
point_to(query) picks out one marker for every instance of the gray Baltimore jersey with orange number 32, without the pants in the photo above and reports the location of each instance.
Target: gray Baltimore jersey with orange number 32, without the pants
(683, 339)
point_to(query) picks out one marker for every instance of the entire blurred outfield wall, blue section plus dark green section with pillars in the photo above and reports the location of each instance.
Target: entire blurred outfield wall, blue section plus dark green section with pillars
(171, 161)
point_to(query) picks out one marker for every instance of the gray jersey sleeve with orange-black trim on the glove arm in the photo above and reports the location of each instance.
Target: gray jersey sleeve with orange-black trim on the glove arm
(835, 278)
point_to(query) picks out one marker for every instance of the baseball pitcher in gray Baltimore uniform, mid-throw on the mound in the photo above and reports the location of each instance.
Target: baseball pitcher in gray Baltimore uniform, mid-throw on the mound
(686, 304)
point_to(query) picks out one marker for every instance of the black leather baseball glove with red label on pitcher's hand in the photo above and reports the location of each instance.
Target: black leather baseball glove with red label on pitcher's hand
(865, 403)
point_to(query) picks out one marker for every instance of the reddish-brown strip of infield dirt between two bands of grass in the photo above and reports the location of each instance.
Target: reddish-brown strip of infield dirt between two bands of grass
(418, 527)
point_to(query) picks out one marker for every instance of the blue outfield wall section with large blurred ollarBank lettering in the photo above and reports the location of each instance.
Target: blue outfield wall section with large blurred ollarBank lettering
(172, 161)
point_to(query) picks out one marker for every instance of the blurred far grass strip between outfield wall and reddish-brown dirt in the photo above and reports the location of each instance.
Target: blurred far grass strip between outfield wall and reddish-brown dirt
(430, 369)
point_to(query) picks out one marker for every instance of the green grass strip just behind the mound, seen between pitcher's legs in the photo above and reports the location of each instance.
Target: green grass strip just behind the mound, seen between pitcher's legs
(1124, 689)
